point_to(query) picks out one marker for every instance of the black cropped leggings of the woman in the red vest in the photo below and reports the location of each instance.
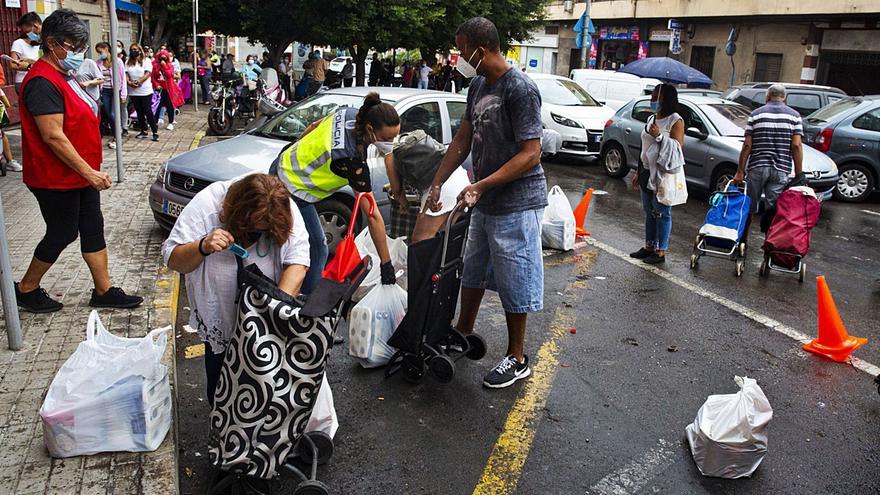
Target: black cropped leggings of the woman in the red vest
(68, 213)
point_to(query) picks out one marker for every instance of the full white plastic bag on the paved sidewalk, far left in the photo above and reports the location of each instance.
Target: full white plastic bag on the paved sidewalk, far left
(112, 394)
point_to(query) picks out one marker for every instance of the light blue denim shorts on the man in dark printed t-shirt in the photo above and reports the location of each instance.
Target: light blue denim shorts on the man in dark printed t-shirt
(504, 254)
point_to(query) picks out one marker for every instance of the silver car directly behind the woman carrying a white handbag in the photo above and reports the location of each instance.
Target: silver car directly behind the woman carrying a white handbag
(713, 140)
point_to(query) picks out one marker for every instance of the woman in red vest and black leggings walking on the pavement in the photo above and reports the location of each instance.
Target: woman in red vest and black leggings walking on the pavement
(62, 155)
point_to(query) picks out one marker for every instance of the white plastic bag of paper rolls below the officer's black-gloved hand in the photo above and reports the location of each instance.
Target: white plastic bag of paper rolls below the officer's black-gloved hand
(372, 323)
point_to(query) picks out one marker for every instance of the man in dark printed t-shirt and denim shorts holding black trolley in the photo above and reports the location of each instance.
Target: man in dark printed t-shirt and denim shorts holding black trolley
(502, 130)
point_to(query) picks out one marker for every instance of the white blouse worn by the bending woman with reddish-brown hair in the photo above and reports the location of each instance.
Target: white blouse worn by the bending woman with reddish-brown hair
(212, 287)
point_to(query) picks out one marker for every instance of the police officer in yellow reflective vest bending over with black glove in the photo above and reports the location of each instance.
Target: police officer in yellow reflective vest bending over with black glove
(330, 155)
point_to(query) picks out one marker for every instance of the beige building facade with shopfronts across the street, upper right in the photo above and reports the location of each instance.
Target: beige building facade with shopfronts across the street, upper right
(833, 42)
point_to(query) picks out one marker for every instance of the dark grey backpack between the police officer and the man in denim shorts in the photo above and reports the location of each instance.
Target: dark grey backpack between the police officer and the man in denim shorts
(417, 157)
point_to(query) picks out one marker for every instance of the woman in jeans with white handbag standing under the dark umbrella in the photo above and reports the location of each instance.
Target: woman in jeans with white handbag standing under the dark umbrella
(661, 172)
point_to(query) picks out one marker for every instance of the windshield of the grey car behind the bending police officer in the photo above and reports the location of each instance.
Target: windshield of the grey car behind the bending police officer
(290, 124)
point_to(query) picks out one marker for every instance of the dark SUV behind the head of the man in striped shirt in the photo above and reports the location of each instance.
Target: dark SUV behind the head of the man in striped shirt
(805, 98)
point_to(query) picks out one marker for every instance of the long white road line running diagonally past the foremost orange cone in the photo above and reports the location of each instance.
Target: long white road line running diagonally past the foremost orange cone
(768, 322)
